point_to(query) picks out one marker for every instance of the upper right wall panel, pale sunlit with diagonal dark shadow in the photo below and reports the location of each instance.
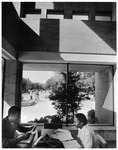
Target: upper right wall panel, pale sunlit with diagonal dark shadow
(87, 37)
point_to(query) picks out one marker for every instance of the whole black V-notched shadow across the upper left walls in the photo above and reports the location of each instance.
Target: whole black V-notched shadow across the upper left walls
(23, 38)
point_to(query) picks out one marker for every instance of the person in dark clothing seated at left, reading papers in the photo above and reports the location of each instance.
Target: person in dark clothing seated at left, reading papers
(10, 125)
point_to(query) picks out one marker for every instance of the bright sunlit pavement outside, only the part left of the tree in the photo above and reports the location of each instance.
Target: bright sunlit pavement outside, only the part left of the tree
(42, 108)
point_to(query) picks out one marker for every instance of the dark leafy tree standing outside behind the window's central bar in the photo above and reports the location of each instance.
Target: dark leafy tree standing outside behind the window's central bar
(65, 95)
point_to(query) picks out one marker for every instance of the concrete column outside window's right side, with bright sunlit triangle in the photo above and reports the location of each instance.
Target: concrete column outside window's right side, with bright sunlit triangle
(104, 96)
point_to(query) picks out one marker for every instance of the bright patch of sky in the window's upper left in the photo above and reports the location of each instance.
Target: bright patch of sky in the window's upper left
(38, 76)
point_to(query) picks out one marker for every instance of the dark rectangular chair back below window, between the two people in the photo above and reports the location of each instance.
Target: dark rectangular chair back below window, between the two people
(52, 125)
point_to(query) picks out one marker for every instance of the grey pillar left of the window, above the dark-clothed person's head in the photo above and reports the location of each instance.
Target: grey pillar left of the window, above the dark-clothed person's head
(12, 82)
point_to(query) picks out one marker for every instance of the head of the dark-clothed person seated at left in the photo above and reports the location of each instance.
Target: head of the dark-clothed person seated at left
(14, 114)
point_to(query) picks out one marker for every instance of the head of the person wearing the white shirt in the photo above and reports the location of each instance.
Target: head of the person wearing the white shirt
(80, 120)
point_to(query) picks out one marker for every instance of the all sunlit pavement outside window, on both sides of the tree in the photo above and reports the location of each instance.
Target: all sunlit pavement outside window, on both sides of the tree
(44, 107)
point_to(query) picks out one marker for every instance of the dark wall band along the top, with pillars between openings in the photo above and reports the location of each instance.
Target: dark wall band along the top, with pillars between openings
(67, 9)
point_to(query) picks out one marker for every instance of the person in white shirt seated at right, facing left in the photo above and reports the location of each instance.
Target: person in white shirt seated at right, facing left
(86, 136)
